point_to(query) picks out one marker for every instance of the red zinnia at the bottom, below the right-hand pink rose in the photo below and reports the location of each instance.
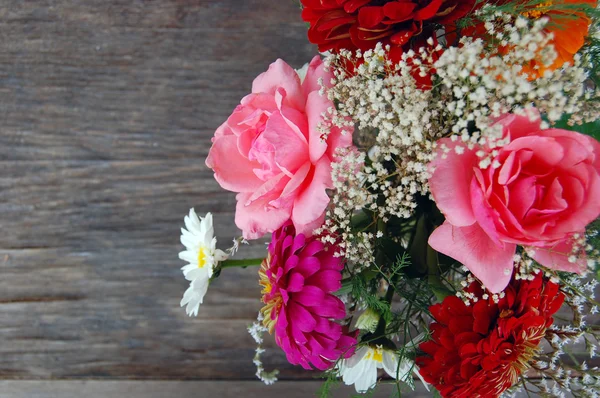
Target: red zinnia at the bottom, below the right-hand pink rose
(480, 350)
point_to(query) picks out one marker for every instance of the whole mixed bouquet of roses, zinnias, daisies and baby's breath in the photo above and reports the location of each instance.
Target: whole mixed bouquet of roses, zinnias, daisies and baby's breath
(431, 187)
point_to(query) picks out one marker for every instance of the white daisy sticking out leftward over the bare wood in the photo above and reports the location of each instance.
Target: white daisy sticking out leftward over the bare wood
(202, 255)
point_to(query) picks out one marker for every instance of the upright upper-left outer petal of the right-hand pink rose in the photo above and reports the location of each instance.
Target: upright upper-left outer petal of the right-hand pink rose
(450, 183)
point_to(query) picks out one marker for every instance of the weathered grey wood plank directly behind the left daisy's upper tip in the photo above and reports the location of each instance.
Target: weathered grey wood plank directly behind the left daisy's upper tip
(95, 205)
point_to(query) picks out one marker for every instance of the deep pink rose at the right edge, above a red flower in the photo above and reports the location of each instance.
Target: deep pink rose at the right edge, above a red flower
(546, 188)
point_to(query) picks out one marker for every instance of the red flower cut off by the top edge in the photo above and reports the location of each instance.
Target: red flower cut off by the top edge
(360, 24)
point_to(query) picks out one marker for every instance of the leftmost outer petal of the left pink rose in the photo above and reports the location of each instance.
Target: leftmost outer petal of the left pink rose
(232, 171)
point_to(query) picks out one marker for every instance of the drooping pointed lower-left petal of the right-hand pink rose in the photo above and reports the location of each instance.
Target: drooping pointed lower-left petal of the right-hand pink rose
(491, 263)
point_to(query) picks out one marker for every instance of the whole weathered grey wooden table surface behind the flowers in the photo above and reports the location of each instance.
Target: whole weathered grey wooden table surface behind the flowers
(107, 108)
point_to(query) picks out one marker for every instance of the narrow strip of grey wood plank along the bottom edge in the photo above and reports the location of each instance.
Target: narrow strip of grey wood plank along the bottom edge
(162, 389)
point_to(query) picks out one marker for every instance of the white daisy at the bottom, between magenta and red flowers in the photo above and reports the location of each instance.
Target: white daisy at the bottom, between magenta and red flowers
(361, 368)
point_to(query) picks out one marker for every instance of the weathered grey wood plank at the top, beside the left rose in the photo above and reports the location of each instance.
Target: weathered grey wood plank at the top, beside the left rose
(133, 79)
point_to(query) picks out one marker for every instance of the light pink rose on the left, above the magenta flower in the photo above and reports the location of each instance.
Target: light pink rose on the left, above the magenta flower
(270, 151)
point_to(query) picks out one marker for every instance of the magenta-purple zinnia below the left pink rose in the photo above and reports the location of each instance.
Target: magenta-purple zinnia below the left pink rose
(298, 279)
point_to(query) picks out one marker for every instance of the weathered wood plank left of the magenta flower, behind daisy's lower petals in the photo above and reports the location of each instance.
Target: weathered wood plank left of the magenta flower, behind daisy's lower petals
(116, 314)
